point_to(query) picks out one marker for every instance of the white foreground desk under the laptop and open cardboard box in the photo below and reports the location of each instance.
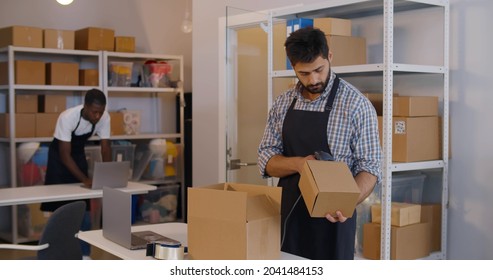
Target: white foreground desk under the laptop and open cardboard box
(176, 231)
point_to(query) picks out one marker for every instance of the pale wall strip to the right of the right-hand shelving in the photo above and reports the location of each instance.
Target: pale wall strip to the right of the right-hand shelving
(471, 166)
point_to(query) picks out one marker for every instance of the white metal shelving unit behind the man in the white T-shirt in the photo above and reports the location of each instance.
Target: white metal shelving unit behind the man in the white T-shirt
(87, 59)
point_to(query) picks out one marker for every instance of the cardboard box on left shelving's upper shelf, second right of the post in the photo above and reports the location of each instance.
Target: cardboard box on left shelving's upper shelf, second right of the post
(62, 73)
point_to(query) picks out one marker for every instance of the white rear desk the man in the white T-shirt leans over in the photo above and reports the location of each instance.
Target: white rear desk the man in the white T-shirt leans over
(63, 192)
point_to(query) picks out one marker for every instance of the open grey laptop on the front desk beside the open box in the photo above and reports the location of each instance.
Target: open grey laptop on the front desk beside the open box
(117, 222)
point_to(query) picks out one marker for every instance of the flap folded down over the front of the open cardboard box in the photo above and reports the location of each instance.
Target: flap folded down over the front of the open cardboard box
(213, 199)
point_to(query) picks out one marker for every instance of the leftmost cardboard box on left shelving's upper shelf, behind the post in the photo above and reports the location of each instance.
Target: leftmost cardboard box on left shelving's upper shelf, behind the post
(26, 72)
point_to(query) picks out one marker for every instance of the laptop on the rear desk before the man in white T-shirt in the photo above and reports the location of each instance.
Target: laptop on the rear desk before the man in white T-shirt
(112, 174)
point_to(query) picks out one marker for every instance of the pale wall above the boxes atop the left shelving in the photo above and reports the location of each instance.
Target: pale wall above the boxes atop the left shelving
(155, 24)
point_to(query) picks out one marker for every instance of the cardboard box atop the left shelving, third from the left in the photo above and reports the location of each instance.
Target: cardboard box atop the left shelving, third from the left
(95, 39)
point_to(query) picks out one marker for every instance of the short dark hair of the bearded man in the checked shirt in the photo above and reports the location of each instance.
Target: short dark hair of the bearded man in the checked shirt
(305, 45)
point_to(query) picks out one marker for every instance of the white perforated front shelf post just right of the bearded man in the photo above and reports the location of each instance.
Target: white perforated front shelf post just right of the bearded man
(386, 189)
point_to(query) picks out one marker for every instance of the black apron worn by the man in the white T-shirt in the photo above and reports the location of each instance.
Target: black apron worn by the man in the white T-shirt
(57, 173)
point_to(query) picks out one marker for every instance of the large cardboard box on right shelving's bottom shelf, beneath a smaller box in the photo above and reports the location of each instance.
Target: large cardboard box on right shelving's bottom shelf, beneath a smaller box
(406, 243)
